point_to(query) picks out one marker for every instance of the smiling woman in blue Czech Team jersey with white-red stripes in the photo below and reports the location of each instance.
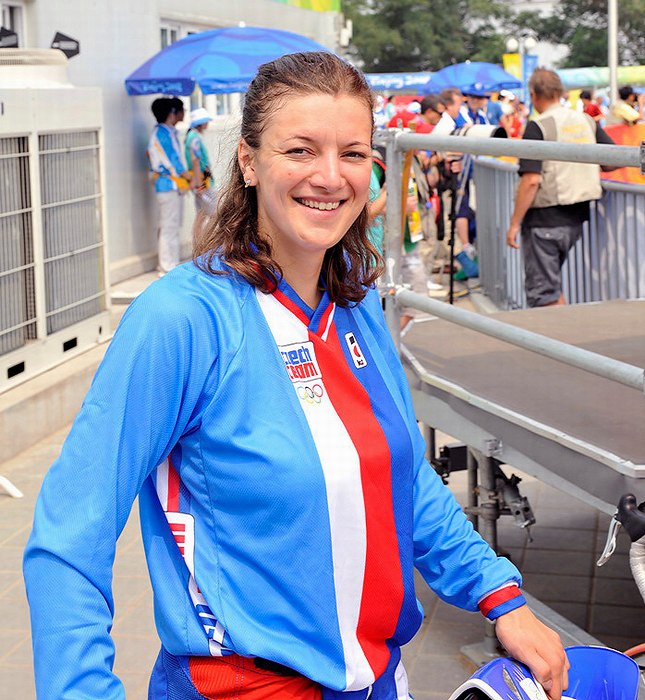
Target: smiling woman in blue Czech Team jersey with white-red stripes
(254, 400)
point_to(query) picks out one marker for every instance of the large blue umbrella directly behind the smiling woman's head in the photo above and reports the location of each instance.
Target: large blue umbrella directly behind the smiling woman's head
(218, 60)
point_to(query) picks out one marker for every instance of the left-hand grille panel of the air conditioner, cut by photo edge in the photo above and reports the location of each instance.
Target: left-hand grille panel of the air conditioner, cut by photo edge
(17, 297)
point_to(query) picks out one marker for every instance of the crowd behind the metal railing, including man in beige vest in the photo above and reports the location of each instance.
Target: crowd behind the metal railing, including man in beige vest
(551, 204)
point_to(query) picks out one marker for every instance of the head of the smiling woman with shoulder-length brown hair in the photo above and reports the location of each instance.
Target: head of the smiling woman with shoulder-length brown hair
(296, 200)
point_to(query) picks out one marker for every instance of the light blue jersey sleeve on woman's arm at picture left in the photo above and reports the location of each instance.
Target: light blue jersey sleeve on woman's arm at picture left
(142, 399)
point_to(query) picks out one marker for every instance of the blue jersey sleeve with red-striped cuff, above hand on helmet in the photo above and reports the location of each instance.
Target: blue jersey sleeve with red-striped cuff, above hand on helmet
(454, 560)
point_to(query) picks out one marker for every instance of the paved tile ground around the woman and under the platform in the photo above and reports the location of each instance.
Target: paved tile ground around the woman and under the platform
(558, 567)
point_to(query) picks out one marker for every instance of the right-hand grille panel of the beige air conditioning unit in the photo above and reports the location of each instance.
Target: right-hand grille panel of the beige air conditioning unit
(72, 235)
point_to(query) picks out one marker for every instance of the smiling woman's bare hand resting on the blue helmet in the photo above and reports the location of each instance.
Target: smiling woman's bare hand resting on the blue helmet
(528, 640)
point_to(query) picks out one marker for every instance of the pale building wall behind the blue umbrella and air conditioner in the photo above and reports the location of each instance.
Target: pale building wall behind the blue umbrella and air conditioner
(116, 37)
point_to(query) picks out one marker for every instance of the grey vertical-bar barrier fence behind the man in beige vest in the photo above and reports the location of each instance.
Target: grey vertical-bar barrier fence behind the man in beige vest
(608, 262)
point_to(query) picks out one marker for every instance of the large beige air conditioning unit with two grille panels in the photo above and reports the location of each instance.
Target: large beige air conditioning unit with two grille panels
(53, 274)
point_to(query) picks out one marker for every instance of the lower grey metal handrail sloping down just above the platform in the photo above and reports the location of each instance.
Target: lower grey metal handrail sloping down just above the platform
(606, 367)
